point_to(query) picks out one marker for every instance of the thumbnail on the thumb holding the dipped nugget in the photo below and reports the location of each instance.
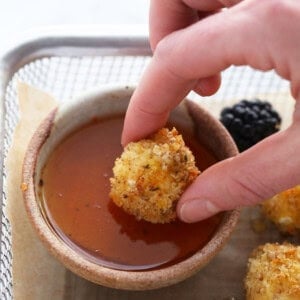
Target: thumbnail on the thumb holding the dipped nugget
(197, 210)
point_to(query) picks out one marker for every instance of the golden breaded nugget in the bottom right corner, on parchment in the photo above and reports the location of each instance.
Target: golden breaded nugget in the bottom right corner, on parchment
(274, 273)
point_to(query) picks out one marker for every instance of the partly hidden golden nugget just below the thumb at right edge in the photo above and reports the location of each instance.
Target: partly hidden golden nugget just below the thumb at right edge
(284, 210)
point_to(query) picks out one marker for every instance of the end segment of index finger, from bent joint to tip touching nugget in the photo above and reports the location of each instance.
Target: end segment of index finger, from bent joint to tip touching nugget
(151, 103)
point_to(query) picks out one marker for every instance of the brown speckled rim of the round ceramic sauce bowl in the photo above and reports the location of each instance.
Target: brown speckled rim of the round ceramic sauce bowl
(130, 280)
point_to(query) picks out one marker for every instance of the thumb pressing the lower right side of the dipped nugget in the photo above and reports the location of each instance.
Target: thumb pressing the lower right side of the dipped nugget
(262, 171)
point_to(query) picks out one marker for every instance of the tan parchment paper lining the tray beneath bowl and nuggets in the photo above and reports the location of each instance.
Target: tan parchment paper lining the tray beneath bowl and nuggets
(37, 275)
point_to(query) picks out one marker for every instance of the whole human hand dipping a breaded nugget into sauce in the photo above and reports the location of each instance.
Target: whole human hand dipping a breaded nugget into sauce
(261, 34)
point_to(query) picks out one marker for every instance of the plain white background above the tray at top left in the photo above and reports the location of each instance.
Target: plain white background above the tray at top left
(18, 17)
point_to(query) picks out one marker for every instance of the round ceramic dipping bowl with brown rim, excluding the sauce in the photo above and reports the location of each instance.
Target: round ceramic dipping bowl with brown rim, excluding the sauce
(106, 101)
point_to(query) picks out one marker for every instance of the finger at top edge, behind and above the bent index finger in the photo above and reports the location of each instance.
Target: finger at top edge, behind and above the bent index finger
(170, 15)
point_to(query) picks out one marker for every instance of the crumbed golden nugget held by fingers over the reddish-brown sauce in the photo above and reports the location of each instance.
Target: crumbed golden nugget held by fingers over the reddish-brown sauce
(151, 175)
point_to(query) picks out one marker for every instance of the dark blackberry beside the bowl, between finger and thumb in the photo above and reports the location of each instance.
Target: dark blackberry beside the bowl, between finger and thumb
(250, 121)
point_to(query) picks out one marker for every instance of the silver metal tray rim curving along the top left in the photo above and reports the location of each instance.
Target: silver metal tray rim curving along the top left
(54, 40)
